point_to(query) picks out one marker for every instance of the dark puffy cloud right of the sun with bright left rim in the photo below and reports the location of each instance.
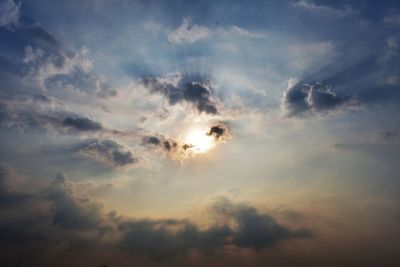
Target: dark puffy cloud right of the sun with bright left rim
(303, 99)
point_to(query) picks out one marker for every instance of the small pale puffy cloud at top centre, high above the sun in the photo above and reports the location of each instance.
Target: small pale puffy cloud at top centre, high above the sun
(188, 33)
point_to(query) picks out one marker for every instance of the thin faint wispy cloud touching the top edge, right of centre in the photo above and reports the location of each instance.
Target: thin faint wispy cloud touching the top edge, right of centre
(326, 11)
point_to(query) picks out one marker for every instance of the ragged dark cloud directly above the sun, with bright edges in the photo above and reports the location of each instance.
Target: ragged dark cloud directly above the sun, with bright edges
(196, 93)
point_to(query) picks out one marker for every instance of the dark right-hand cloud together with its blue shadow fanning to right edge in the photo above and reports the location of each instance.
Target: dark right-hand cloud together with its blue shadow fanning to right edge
(347, 82)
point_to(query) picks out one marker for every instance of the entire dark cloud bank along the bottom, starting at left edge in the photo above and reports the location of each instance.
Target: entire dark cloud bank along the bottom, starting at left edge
(73, 217)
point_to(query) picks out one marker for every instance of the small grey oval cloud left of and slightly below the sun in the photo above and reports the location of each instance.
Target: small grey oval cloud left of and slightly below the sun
(106, 151)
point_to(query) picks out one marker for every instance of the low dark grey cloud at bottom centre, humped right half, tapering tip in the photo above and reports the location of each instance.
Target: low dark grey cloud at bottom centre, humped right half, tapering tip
(243, 226)
